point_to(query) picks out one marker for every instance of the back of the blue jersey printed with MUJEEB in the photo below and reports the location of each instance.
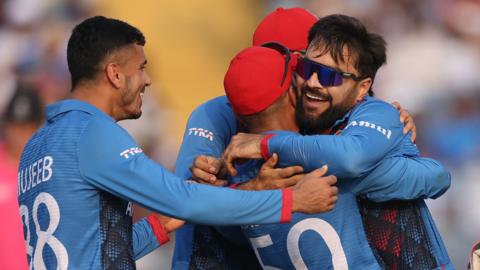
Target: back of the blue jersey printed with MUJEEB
(69, 223)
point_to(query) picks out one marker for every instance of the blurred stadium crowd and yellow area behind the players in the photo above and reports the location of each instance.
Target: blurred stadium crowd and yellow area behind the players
(433, 61)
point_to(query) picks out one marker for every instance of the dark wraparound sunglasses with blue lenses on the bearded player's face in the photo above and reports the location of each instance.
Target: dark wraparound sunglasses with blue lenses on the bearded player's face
(327, 76)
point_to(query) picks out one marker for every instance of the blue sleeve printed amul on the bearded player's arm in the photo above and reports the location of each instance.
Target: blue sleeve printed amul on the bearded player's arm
(374, 129)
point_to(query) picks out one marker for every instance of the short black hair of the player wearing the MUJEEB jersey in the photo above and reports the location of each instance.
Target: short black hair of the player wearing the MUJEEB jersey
(93, 40)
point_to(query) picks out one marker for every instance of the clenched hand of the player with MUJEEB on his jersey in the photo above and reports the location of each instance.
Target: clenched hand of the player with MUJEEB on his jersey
(315, 193)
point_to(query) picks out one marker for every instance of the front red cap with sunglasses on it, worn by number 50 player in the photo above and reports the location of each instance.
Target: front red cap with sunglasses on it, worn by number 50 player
(252, 82)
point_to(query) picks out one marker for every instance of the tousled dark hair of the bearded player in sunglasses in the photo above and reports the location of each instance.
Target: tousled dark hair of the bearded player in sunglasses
(334, 32)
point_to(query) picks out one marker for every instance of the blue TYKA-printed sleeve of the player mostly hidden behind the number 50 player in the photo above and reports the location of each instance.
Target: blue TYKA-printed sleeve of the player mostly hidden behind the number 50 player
(208, 132)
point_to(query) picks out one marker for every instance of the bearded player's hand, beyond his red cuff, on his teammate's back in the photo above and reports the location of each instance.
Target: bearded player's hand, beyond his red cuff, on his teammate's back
(242, 146)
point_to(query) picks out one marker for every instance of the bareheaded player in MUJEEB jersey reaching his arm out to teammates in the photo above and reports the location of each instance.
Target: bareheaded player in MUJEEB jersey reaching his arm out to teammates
(80, 172)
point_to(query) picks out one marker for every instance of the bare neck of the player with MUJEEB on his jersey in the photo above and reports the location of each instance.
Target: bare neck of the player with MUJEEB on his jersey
(96, 96)
